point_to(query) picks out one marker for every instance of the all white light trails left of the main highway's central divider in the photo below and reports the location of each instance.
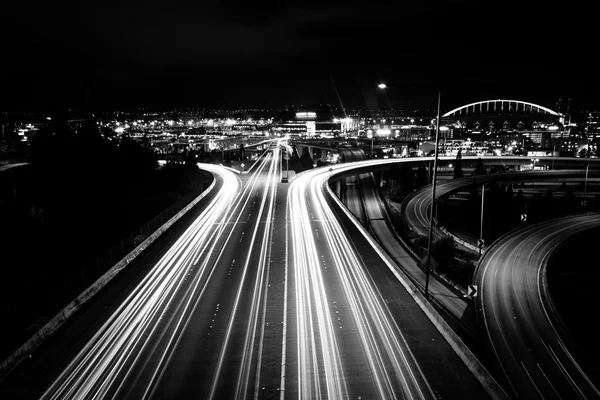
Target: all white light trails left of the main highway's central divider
(130, 353)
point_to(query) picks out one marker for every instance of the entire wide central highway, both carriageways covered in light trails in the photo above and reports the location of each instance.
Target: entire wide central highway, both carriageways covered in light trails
(263, 296)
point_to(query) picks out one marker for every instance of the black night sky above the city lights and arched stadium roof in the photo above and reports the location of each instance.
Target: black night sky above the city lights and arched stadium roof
(115, 54)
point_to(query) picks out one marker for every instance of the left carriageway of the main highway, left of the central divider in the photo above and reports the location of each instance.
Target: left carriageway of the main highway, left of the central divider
(195, 326)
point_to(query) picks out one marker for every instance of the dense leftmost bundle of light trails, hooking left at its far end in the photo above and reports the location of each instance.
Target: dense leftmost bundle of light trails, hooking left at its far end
(110, 352)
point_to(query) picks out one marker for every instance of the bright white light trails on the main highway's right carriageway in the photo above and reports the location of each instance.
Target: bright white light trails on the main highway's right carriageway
(322, 370)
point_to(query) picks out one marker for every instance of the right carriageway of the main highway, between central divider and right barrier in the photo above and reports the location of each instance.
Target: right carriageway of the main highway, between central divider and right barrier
(348, 342)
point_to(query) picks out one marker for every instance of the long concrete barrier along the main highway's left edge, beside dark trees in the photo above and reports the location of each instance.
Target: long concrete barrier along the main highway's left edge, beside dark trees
(56, 322)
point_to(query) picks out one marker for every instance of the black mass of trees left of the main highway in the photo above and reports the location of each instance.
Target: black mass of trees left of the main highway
(81, 194)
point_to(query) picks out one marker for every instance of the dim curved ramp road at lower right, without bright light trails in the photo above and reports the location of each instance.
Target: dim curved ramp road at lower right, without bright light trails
(518, 318)
